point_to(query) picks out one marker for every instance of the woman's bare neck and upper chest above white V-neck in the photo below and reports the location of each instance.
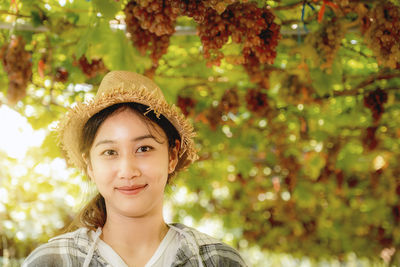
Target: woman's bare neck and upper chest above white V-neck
(134, 239)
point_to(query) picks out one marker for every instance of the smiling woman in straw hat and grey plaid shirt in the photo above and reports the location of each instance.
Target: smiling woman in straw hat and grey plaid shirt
(130, 143)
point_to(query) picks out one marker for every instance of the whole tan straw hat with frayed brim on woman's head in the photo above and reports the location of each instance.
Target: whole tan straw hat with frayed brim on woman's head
(119, 87)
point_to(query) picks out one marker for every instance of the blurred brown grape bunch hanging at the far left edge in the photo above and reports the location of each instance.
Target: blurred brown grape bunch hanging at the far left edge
(17, 63)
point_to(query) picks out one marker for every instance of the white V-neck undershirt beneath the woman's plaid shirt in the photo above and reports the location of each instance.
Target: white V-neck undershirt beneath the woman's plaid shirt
(164, 255)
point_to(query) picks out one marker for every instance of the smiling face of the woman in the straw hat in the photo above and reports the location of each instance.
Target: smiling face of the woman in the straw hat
(129, 164)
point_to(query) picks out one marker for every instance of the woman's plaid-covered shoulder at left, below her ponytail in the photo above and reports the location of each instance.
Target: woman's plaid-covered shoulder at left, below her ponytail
(64, 250)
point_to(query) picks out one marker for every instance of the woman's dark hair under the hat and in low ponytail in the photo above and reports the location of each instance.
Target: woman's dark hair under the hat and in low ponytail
(94, 213)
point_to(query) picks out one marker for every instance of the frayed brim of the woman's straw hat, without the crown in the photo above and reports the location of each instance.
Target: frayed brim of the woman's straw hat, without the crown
(70, 127)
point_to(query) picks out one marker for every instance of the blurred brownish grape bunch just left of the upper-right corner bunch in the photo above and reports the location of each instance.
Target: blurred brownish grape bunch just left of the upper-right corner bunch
(326, 42)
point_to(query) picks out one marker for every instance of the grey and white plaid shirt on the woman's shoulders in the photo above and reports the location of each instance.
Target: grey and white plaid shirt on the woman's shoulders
(196, 249)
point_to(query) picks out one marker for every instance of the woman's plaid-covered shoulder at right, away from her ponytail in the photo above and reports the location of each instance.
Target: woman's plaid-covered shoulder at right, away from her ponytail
(213, 251)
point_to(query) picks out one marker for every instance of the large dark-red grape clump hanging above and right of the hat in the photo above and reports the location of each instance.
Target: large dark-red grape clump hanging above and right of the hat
(247, 24)
